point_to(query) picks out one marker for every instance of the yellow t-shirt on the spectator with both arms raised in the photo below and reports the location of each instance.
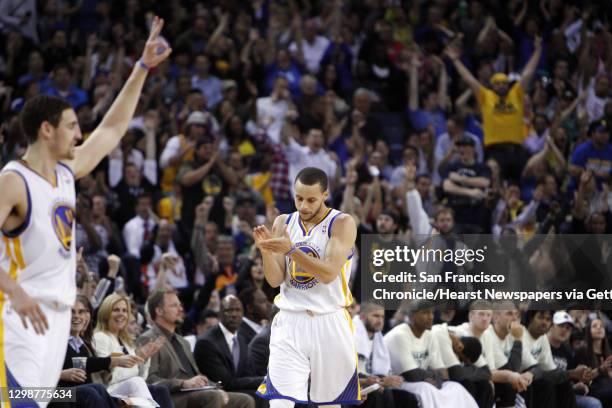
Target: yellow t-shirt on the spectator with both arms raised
(502, 119)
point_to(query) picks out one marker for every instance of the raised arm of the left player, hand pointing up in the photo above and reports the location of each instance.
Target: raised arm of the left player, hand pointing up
(114, 124)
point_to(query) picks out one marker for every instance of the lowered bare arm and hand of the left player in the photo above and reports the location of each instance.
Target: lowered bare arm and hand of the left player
(13, 193)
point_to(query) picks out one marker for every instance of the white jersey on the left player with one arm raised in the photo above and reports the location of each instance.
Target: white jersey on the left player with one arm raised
(41, 254)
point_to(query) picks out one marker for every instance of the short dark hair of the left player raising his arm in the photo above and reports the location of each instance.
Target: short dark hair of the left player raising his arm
(39, 109)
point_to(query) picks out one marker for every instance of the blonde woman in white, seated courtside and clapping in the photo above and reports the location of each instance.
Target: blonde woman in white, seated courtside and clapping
(111, 339)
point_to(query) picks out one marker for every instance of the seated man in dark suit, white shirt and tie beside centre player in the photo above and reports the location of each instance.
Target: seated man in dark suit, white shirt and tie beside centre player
(222, 354)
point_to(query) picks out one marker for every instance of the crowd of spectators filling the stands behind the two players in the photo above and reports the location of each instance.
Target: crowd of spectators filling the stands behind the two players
(449, 117)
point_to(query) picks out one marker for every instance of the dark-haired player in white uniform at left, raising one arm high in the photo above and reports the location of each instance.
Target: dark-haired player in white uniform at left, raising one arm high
(37, 213)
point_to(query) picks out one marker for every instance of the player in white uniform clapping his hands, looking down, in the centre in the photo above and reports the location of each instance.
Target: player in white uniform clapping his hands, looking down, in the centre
(308, 254)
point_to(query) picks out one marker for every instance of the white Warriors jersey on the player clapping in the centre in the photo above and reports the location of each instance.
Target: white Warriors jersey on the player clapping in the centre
(301, 291)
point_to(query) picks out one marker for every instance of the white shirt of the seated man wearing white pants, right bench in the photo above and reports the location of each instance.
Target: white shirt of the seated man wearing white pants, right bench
(409, 352)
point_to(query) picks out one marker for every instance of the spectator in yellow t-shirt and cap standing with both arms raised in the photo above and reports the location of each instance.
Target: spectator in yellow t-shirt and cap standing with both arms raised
(502, 109)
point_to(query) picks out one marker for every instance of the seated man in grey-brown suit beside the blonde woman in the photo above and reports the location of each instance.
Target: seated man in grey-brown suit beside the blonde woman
(174, 366)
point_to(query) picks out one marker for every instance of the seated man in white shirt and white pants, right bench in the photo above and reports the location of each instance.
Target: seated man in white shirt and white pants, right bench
(415, 356)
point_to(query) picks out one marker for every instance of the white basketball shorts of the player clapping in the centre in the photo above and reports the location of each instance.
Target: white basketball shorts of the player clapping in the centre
(319, 348)
